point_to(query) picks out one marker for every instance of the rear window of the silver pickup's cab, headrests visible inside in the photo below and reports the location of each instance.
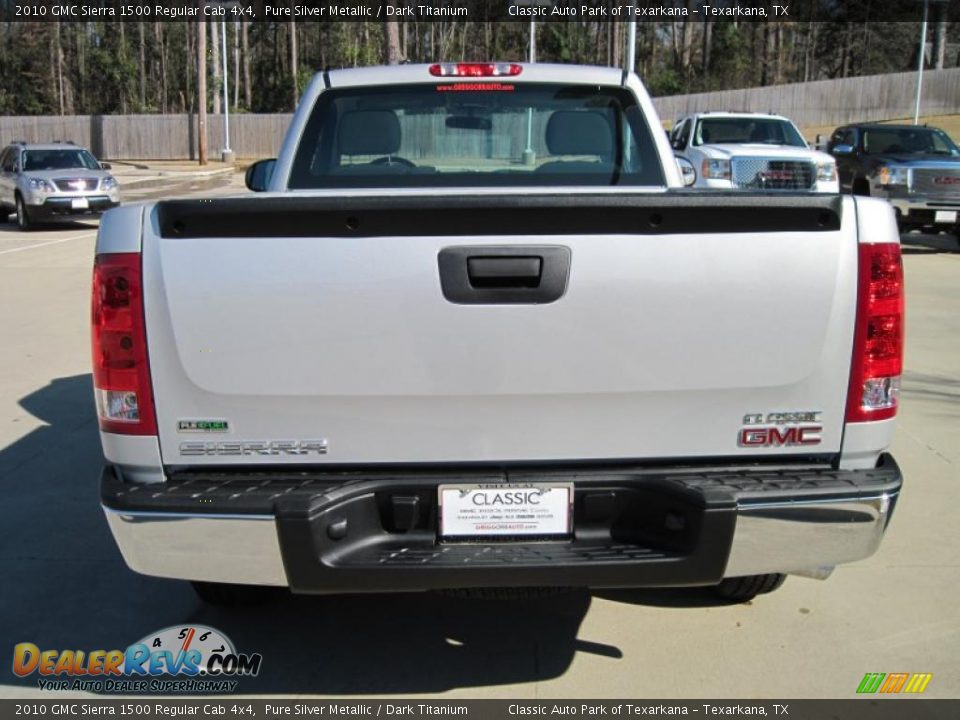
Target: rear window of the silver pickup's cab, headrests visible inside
(476, 133)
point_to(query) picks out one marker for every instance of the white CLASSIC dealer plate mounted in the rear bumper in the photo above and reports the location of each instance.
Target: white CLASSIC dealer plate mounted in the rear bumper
(497, 510)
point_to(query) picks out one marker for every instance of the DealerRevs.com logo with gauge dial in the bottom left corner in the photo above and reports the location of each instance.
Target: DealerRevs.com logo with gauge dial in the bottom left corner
(192, 658)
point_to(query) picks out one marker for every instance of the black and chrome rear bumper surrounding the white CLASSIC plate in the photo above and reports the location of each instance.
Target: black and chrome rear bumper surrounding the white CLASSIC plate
(327, 533)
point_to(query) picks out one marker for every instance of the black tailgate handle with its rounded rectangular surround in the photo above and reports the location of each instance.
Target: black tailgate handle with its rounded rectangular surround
(503, 274)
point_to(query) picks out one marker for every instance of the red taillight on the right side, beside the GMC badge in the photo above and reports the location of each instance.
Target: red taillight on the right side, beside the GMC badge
(878, 338)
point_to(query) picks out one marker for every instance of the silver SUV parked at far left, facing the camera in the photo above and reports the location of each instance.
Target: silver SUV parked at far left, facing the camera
(43, 182)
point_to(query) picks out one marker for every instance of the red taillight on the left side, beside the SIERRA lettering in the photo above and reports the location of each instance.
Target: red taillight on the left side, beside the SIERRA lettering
(121, 374)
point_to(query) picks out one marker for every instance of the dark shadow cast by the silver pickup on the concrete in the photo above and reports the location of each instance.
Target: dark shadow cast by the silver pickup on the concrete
(66, 587)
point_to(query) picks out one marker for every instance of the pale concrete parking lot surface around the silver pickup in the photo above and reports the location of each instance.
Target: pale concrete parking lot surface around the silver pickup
(65, 585)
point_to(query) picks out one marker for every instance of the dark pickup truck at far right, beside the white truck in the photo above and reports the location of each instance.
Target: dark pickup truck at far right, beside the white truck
(916, 168)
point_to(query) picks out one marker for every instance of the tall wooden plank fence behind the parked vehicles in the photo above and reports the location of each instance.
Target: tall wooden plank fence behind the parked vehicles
(173, 137)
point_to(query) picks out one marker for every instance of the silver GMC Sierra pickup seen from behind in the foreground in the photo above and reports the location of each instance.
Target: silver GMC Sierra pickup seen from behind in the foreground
(476, 334)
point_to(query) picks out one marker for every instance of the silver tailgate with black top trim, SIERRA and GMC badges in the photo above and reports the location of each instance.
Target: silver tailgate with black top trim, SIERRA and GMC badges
(464, 328)
